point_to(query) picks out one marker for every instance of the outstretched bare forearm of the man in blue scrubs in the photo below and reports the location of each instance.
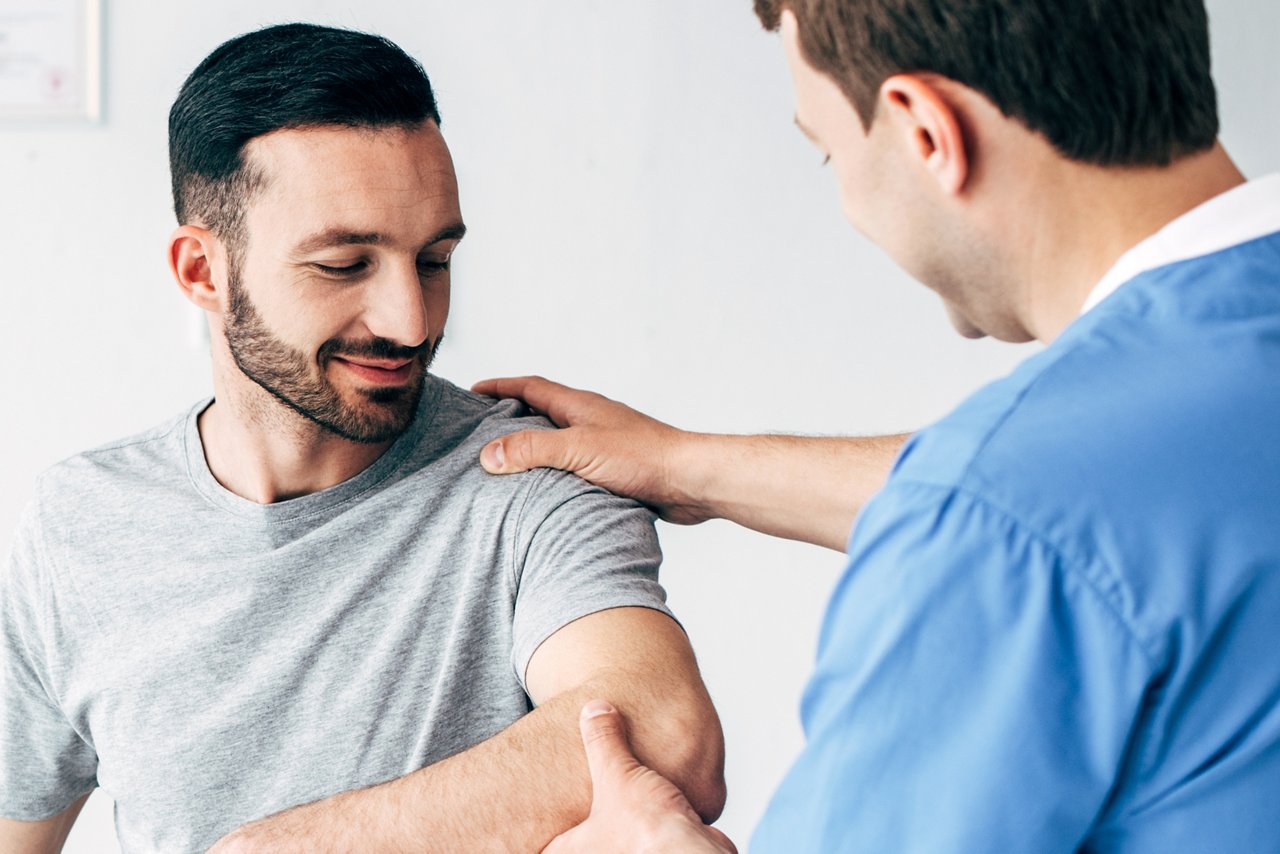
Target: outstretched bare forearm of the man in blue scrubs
(803, 488)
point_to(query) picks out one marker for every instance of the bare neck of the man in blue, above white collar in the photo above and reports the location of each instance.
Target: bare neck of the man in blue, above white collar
(1091, 217)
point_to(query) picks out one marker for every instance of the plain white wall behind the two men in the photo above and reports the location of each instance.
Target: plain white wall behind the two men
(644, 221)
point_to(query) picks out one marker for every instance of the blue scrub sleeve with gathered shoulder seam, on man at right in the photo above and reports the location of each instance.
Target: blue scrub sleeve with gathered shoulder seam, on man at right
(973, 692)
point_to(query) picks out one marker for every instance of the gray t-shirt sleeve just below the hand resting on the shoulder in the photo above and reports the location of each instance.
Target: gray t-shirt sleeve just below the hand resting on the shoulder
(580, 550)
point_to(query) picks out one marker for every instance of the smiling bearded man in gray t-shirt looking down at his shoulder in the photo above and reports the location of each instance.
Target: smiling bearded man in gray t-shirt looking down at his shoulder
(304, 600)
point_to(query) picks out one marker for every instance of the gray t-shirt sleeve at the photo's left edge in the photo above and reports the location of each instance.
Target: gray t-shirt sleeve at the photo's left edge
(44, 764)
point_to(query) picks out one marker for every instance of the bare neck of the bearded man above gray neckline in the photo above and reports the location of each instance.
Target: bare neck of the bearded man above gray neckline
(266, 453)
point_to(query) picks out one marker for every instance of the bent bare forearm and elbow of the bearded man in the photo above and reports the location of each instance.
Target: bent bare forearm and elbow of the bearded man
(518, 791)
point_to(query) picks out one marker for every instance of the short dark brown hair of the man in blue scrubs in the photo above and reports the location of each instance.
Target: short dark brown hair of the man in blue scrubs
(1109, 83)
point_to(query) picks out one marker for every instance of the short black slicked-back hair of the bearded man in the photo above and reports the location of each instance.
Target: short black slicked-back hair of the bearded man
(290, 76)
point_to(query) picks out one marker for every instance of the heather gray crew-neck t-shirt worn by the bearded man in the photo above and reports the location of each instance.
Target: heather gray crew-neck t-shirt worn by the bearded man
(208, 661)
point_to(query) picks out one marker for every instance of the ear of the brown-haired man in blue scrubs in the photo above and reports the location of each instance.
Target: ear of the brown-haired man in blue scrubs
(931, 129)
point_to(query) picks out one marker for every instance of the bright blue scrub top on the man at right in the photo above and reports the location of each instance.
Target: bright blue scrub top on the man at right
(1060, 624)
